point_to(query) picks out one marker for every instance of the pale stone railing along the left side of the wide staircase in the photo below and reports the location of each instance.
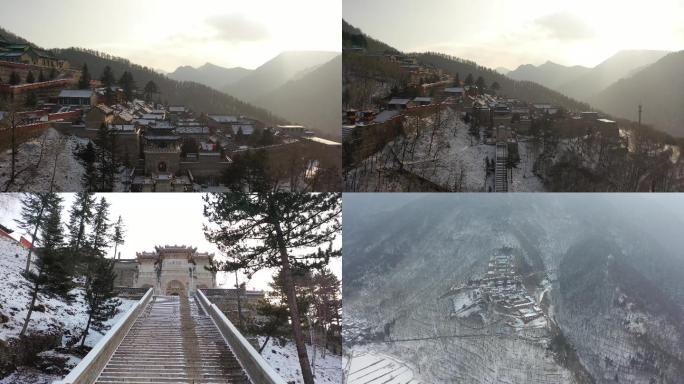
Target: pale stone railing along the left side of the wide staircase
(87, 371)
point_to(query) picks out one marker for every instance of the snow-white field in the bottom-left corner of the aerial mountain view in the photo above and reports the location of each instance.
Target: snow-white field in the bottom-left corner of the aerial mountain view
(364, 366)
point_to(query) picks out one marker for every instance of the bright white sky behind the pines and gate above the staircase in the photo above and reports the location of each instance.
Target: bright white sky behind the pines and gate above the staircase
(156, 219)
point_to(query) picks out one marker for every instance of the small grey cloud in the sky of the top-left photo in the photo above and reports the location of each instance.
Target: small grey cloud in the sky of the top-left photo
(236, 28)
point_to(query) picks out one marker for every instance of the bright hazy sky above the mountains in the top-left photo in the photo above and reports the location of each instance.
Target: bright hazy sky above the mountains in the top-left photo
(165, 34)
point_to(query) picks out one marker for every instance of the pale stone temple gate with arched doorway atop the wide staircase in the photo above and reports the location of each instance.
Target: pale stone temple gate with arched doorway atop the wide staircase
(170, 270)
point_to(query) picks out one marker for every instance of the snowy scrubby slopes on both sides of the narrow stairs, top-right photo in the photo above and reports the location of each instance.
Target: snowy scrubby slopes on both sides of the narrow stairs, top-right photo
(452, 159)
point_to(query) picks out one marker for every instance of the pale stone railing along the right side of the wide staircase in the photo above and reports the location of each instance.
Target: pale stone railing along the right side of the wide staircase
(256, 367)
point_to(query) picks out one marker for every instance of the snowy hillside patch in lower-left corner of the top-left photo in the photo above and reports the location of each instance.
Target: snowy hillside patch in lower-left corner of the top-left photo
(36, 176)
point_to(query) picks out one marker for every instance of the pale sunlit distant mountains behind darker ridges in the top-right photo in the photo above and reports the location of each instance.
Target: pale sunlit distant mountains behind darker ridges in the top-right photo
(583, 83)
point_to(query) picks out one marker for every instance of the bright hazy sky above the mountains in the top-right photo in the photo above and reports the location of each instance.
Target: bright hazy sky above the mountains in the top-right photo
(508, 33)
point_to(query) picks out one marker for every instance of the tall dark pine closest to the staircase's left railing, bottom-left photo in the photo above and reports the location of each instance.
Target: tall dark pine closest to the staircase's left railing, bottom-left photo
(99, 271)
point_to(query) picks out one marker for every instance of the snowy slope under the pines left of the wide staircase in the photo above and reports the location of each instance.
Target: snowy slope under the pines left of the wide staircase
(56, 316)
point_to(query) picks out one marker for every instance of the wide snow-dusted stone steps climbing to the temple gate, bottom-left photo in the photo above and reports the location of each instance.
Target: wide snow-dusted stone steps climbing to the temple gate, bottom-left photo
(173, 341)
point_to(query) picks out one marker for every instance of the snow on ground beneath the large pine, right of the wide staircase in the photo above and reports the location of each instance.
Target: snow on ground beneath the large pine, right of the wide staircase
(328, 369)
